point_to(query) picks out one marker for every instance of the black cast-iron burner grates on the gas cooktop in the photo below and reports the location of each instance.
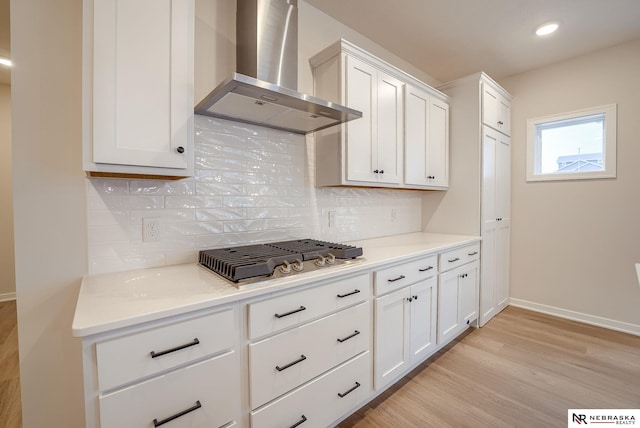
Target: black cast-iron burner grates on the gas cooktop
(249, 261)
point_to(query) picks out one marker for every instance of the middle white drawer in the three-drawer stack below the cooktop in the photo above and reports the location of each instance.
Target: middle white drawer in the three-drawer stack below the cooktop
(283, 362)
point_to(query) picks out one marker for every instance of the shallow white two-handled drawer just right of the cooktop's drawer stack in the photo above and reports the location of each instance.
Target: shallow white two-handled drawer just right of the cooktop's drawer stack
(396, 277)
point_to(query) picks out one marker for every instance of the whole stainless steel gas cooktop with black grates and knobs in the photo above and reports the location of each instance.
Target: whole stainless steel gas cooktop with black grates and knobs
(277, 259)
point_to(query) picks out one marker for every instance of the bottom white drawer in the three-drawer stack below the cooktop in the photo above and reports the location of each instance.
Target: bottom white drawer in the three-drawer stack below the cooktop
(321, 401)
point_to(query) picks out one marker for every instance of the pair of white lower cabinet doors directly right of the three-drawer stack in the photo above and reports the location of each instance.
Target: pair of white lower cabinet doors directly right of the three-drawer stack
(405, 328)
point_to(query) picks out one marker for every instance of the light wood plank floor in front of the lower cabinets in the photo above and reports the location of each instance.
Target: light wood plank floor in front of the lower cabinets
(522, 369)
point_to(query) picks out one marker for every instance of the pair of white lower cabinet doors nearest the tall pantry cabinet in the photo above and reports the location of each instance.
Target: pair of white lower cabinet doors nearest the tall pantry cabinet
(457, 300)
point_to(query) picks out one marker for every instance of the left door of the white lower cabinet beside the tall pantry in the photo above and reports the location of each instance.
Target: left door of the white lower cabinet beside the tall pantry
(448, 308)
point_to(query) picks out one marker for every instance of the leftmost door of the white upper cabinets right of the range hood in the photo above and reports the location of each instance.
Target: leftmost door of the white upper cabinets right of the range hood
(361, 89)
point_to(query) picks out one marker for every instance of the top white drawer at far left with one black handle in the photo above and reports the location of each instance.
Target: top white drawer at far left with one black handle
(148, 352)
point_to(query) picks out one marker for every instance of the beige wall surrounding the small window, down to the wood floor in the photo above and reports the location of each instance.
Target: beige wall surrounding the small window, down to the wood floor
(574, 243)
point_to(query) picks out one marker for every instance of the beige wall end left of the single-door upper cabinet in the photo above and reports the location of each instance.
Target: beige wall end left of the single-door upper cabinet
(49, 206)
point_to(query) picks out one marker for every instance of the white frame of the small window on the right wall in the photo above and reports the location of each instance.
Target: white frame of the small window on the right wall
(609, 150)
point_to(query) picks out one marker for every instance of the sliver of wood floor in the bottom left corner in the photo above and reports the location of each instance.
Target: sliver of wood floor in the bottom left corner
(10, 407)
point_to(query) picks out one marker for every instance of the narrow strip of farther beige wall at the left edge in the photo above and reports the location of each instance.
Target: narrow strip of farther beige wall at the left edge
(7, 271)
